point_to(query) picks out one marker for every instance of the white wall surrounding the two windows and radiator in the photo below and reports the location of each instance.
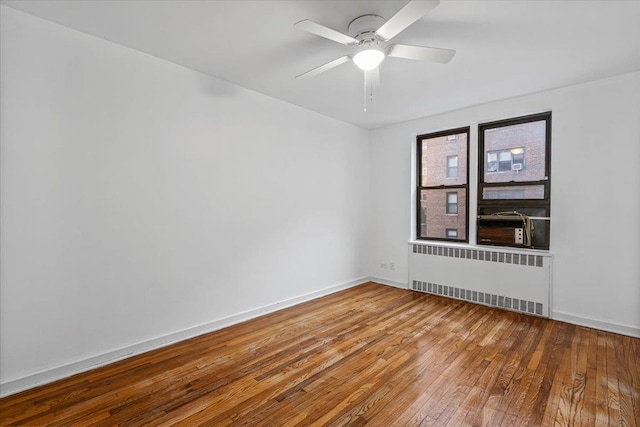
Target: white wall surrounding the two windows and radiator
(595, 201)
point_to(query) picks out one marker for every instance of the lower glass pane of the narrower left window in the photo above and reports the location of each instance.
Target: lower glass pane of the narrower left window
(434, 220)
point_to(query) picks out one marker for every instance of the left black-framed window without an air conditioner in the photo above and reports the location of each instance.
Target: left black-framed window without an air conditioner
(442, 187)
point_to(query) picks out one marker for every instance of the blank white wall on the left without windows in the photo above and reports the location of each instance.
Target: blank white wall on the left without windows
(141, 198)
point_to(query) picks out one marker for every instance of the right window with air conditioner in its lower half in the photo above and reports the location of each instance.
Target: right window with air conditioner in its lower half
(514, 172)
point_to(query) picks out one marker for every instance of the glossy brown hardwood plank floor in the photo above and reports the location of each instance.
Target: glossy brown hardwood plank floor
(368, 355)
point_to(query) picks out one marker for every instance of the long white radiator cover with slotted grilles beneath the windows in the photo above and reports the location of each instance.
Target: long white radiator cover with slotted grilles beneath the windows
(509, 279)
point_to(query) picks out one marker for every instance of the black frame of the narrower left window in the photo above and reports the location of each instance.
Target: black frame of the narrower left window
(465, 187)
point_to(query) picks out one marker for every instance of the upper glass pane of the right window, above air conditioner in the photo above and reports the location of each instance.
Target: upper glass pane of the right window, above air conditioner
(515, 153)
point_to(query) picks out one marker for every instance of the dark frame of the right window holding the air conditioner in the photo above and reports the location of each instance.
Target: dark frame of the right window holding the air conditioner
(483, 205)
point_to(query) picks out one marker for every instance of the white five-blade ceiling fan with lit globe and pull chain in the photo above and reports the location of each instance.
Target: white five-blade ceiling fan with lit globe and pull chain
(370, 34)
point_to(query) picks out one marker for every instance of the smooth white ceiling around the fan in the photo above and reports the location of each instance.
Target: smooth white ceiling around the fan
(504, 48)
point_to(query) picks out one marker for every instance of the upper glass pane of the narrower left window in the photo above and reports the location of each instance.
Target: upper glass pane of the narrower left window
(440, 155)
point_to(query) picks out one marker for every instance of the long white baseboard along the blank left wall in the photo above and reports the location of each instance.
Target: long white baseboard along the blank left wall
(60, 372)
